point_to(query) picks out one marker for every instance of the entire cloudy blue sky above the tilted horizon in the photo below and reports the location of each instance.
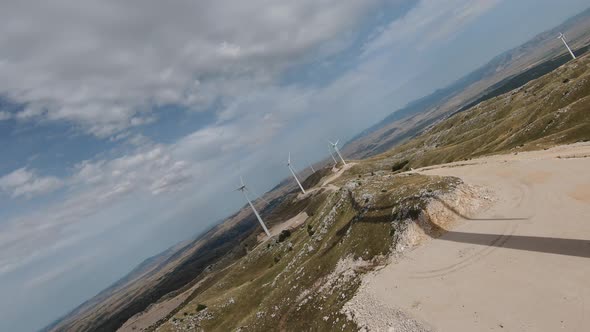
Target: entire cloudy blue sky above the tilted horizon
(124, 125)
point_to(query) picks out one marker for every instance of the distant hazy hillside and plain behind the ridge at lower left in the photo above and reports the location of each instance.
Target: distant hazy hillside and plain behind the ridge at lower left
(170, 271)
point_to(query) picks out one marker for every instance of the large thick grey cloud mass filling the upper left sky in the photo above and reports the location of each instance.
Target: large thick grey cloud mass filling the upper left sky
(105, 65)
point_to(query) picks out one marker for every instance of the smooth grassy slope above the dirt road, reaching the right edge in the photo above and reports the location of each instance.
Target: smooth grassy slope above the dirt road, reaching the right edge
(549, 111)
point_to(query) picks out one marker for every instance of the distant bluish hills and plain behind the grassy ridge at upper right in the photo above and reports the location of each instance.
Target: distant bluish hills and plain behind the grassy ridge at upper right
(505, 72)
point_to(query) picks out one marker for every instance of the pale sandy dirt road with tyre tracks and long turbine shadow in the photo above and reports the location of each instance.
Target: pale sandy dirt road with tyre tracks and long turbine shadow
(521, 265)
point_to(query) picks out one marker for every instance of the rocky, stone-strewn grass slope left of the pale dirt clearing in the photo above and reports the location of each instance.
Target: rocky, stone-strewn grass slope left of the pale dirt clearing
(266, 285)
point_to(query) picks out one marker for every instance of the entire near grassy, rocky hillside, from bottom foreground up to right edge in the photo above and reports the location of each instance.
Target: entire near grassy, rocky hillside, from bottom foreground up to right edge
(360, 220)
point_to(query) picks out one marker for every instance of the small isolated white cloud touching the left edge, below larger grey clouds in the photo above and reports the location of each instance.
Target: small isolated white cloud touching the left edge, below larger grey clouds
(23, 182)
